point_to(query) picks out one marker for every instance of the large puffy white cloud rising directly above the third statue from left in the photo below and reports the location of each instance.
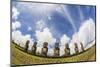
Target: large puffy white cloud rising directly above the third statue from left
(45, 36)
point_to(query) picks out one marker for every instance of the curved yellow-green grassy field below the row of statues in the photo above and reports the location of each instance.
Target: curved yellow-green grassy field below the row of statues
(21, 58)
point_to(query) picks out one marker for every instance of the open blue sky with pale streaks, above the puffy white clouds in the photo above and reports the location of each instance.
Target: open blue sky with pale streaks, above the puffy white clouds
(66, 20)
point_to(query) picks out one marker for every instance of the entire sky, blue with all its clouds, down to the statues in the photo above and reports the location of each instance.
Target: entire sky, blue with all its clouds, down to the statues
(45, 22)
